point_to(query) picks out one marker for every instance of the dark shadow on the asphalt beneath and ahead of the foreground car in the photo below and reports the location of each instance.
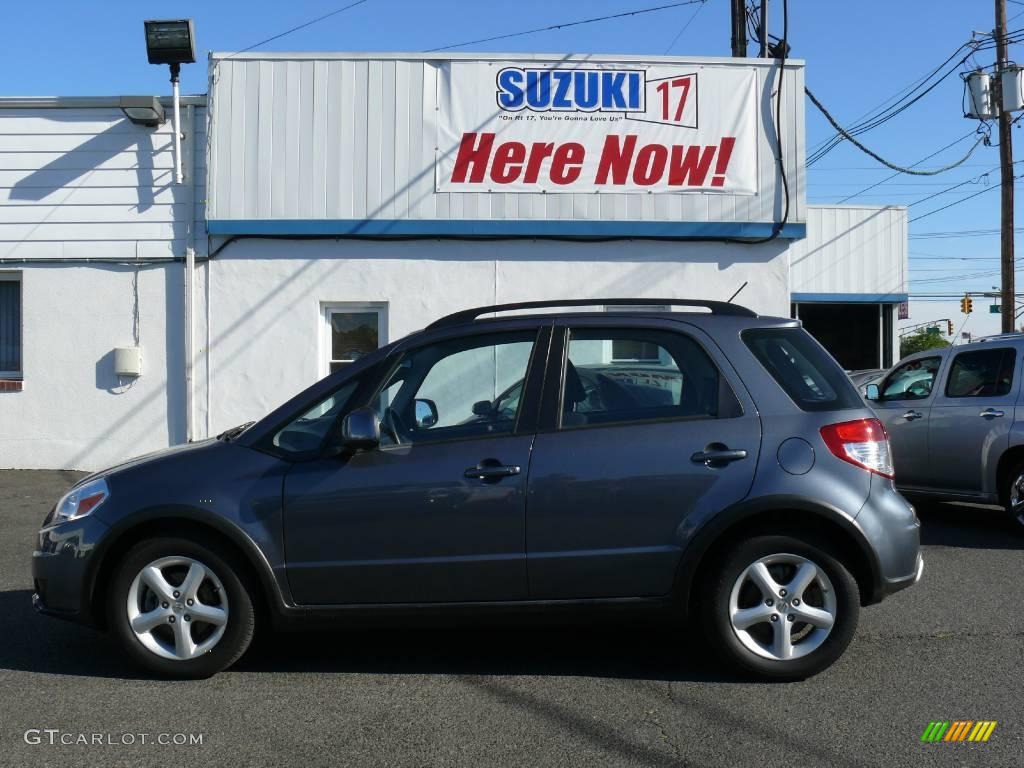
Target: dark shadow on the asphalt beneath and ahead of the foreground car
(643, 650)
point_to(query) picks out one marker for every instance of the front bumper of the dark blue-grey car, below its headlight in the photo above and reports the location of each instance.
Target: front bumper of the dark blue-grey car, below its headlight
(62, 569)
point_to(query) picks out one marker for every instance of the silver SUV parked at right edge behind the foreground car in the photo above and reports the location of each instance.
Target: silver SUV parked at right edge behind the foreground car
(957, 423)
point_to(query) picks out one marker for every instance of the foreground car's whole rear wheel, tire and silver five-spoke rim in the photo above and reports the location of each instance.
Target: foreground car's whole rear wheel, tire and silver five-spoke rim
(781, 608)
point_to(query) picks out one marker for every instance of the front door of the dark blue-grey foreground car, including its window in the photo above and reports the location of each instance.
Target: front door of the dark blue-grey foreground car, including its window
(437, 514)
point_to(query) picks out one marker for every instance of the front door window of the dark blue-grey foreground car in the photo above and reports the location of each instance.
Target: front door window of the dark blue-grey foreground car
(456, 390)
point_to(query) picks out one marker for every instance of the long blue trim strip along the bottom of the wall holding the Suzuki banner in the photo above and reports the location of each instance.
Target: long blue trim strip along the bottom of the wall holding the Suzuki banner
(500, 229)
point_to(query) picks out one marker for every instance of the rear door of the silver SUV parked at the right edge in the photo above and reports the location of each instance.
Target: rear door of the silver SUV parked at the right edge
(971, 418)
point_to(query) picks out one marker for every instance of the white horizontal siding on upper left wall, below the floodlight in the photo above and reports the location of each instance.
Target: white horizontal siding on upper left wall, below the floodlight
(87, 183)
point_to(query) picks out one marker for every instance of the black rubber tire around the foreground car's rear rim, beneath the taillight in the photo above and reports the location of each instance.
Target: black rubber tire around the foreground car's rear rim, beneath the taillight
(714, 610)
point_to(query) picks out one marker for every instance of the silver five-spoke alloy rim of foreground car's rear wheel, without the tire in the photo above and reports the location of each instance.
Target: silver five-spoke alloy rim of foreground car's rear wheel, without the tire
(783, 607)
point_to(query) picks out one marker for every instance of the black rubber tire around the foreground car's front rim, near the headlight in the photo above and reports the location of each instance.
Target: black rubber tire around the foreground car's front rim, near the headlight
(238, 632)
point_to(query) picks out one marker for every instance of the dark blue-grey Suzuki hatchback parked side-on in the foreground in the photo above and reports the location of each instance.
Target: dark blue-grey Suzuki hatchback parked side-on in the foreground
(710, 464)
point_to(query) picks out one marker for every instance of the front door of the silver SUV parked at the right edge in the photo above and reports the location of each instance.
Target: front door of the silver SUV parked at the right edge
(905, 406)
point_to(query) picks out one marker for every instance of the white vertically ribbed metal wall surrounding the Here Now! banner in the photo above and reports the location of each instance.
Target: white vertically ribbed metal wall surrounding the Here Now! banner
(344, 137)
